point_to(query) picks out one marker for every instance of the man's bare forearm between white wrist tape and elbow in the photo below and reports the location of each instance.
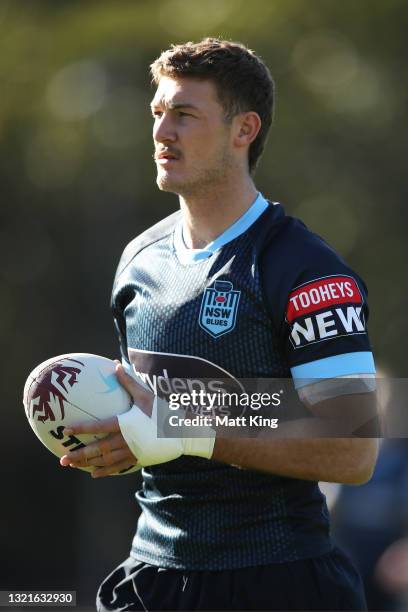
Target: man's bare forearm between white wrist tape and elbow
(343, 460)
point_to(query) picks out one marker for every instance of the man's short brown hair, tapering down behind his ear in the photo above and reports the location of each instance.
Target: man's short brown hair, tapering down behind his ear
(242, 80)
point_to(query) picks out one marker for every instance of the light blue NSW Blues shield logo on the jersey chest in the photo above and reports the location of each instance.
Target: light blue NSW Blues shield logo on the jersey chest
(219, 307)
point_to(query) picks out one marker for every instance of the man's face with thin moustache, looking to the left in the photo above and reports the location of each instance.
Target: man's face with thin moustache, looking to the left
(193, 144)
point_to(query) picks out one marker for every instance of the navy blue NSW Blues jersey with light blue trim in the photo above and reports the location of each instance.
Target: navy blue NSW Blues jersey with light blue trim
(267, 299)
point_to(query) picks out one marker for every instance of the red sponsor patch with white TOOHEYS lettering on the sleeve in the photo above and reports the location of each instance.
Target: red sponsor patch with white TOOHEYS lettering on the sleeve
(322, 293)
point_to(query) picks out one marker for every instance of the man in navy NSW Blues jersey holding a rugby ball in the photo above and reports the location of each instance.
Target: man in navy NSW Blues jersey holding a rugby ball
(229, 524)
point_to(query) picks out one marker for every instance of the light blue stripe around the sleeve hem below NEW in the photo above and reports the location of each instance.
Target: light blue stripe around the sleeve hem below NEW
(361, 362)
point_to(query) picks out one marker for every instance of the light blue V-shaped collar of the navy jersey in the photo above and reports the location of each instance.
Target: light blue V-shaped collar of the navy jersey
(190, 256)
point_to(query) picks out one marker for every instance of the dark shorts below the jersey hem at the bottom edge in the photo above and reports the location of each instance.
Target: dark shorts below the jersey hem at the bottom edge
(329, 582)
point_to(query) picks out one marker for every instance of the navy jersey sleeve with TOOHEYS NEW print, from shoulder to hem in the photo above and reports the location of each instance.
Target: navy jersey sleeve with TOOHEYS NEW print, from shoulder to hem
(321, 313)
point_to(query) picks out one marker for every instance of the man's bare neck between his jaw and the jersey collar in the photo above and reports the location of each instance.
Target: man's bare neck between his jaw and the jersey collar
(209, 214)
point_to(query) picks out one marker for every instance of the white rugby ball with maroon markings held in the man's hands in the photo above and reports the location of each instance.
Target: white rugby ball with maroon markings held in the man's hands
(71, 389)
